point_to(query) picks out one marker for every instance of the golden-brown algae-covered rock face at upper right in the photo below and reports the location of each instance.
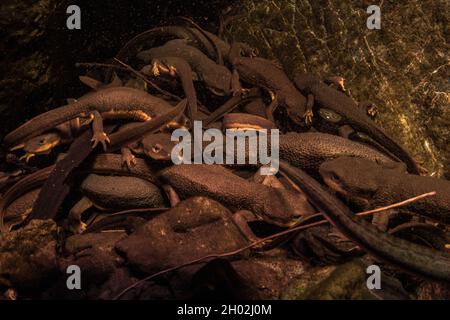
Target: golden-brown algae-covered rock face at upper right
(403, 68)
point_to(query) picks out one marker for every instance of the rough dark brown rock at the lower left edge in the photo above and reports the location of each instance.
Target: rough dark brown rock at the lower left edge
(28, 256)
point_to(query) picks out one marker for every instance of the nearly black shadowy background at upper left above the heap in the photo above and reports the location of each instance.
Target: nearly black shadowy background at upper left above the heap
(38, 52)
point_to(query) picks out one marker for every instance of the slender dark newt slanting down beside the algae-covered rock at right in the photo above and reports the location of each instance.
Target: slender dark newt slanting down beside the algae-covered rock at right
(329, 98)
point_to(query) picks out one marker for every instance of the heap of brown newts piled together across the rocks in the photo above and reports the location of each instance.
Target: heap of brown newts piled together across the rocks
(112, 169)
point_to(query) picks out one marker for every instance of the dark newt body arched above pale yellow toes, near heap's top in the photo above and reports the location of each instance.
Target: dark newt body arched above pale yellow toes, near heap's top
(217, 78)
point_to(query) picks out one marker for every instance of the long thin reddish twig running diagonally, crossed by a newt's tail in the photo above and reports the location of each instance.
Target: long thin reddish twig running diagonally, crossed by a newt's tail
(262, 240)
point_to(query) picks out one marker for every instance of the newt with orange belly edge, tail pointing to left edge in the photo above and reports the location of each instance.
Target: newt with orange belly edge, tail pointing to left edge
(117, 102)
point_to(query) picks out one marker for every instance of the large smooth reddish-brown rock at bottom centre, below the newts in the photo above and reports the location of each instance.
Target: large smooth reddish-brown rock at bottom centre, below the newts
(194, 228)
